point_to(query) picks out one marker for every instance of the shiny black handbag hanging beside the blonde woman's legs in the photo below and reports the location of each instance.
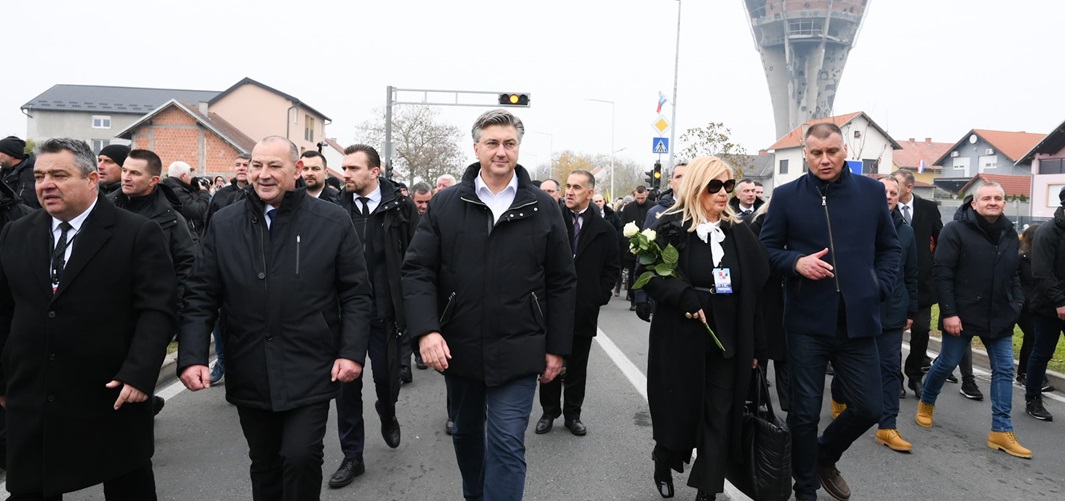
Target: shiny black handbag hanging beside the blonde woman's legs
(765, 472)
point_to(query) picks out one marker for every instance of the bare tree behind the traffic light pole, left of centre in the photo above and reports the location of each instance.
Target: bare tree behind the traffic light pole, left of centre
(425, 149)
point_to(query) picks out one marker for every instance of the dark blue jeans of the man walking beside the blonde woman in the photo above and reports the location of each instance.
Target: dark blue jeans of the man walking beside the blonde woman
(858, 368)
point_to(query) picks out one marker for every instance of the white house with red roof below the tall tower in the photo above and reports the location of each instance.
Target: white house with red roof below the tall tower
(866, 142)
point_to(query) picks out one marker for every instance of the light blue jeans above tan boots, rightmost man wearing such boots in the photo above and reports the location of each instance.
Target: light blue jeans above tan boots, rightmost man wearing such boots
(1001, 354)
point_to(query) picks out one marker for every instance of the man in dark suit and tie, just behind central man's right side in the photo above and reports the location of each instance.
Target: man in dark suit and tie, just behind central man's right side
(595, 245)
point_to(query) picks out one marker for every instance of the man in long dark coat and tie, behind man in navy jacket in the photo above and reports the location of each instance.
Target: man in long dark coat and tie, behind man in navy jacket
(924, 217)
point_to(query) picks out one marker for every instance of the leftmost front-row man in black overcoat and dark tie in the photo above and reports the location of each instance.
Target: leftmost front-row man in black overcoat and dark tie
(83, 340)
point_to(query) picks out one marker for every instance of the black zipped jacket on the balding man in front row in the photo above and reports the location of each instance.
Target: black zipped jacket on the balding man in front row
(298, 298)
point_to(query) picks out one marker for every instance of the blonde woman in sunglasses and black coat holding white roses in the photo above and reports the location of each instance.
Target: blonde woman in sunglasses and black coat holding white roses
(697, 391)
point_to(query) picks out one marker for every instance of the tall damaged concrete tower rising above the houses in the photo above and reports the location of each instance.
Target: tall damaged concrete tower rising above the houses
(804, 46)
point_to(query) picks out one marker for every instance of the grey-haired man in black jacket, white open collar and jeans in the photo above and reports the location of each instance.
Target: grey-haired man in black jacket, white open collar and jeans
(489, 289)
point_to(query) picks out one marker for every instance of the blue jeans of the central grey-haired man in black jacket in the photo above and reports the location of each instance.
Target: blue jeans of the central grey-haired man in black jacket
(493, 463)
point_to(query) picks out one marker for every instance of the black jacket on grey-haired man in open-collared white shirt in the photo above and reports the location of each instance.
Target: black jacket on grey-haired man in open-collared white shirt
(502, 294)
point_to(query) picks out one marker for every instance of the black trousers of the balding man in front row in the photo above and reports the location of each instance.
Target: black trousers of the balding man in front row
(287, 451)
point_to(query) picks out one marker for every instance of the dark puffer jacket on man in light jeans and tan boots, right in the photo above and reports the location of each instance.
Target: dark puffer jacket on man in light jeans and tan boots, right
(978, 279)
